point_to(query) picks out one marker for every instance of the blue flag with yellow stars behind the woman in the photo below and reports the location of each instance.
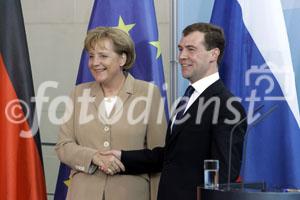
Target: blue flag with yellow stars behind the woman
(137, 18)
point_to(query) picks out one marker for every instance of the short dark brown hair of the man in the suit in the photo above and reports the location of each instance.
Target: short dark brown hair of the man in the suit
(213, 36)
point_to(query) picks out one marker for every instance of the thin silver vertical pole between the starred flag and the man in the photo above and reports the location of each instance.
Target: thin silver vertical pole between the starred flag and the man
(173, 53)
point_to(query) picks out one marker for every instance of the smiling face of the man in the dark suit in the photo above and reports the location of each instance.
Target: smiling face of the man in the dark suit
(196, 62)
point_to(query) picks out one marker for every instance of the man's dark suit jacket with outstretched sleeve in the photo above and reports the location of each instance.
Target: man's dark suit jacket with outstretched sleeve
(181, 160)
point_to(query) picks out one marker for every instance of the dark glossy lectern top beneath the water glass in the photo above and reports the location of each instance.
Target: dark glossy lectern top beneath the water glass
(206, 194)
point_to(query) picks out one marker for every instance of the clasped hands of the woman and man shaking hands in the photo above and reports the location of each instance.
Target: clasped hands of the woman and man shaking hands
(109, 162)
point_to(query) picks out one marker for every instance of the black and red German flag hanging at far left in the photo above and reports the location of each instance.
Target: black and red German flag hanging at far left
(21, 168)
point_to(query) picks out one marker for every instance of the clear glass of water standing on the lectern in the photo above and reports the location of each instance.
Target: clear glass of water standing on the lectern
(211, 174)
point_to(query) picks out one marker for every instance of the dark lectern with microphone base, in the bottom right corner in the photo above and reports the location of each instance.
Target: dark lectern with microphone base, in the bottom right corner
(244, 192)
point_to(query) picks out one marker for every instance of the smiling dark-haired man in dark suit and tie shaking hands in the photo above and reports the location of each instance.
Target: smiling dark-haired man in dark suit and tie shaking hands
(201, 128)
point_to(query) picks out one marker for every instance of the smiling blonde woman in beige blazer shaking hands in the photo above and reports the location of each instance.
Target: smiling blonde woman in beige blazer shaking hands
(116, 111)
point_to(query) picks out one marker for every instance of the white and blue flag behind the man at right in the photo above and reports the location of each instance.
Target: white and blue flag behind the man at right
(257, 67)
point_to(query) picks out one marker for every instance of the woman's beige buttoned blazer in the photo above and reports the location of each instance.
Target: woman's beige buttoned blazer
(137, 121)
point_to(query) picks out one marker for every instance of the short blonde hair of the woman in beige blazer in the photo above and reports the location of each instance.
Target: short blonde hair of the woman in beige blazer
(122, 43)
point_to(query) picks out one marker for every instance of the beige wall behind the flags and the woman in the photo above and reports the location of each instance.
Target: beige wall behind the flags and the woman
(55, 32)
